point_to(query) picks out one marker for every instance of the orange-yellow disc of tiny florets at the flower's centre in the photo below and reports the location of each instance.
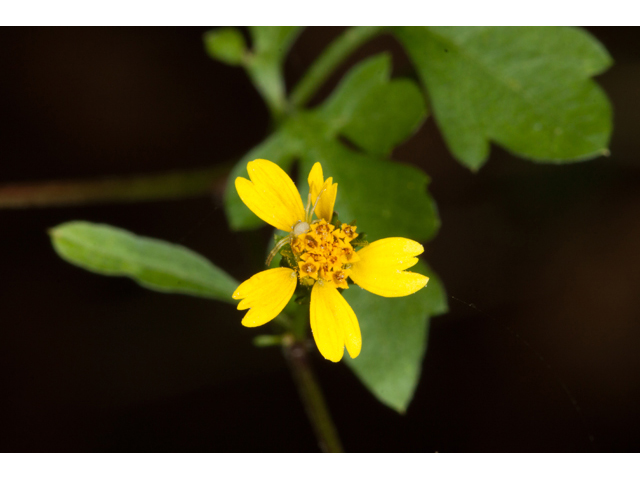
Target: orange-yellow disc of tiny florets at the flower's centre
(325, 252)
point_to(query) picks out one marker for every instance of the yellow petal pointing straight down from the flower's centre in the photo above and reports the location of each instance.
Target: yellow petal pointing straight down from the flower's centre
(333, 323)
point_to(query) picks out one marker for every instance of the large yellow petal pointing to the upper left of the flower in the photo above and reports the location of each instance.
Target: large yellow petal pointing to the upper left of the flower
(271, 194)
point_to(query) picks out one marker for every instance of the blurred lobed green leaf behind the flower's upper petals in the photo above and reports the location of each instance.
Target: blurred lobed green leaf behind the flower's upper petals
(372, 190)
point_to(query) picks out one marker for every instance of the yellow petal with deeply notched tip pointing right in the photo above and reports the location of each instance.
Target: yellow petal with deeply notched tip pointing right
(381, 265)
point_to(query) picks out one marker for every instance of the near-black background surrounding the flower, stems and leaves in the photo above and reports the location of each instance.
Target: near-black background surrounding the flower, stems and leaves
(540, 349)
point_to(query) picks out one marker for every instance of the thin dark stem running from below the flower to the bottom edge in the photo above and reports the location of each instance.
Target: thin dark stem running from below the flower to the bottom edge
(312, 398)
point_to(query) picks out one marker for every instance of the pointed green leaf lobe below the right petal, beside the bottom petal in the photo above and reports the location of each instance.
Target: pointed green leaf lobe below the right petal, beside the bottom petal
(394, 339)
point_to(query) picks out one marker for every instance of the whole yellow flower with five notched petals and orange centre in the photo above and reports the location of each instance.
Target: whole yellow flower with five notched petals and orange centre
(324, 256)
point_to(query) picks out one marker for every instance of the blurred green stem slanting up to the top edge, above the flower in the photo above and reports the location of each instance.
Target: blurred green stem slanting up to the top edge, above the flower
(329, 60)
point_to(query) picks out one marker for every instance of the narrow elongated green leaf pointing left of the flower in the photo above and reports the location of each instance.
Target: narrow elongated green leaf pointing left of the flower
(152, 263)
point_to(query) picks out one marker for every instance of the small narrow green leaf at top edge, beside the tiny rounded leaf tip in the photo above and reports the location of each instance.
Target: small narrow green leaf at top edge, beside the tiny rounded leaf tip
(270, 46)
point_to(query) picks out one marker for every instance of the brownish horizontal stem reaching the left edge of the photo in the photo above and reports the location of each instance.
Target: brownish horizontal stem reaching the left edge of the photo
(162, 186)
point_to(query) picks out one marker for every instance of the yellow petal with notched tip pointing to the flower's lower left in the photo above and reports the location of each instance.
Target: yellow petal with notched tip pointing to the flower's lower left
(266, 294)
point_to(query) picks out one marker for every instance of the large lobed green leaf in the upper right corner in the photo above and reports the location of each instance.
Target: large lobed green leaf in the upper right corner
(527, 89)
